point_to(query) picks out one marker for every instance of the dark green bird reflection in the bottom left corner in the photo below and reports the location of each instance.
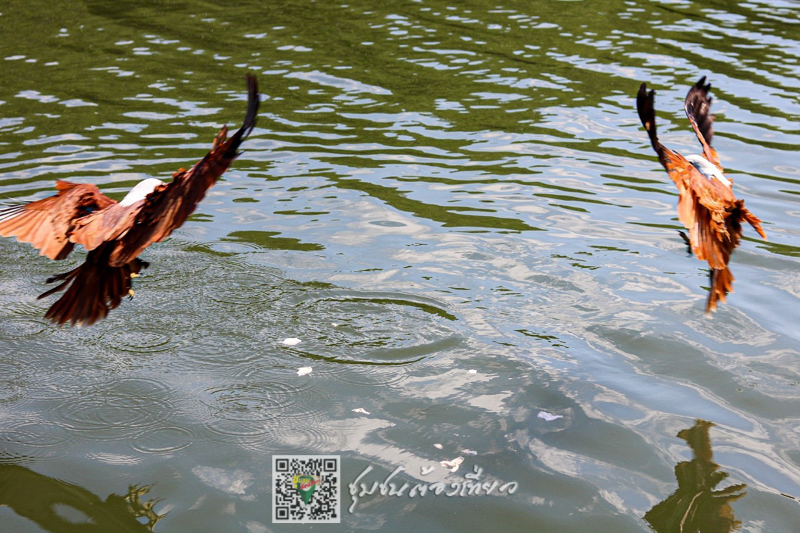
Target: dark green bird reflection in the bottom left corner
(59, 506)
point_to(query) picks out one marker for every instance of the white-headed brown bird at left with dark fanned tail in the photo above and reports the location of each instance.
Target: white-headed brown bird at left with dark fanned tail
(115, 233)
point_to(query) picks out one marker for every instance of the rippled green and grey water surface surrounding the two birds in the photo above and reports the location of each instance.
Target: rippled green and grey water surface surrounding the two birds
(432, 189)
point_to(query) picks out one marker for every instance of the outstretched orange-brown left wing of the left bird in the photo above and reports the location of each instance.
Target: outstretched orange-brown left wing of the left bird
(48, 223)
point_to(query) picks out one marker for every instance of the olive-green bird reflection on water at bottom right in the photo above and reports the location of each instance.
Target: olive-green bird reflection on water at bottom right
(695, 505)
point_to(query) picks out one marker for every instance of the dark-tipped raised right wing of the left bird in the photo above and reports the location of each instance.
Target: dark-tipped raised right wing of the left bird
(168, 206)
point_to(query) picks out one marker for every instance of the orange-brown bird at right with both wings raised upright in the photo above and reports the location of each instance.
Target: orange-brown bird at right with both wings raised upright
(706, 204)
